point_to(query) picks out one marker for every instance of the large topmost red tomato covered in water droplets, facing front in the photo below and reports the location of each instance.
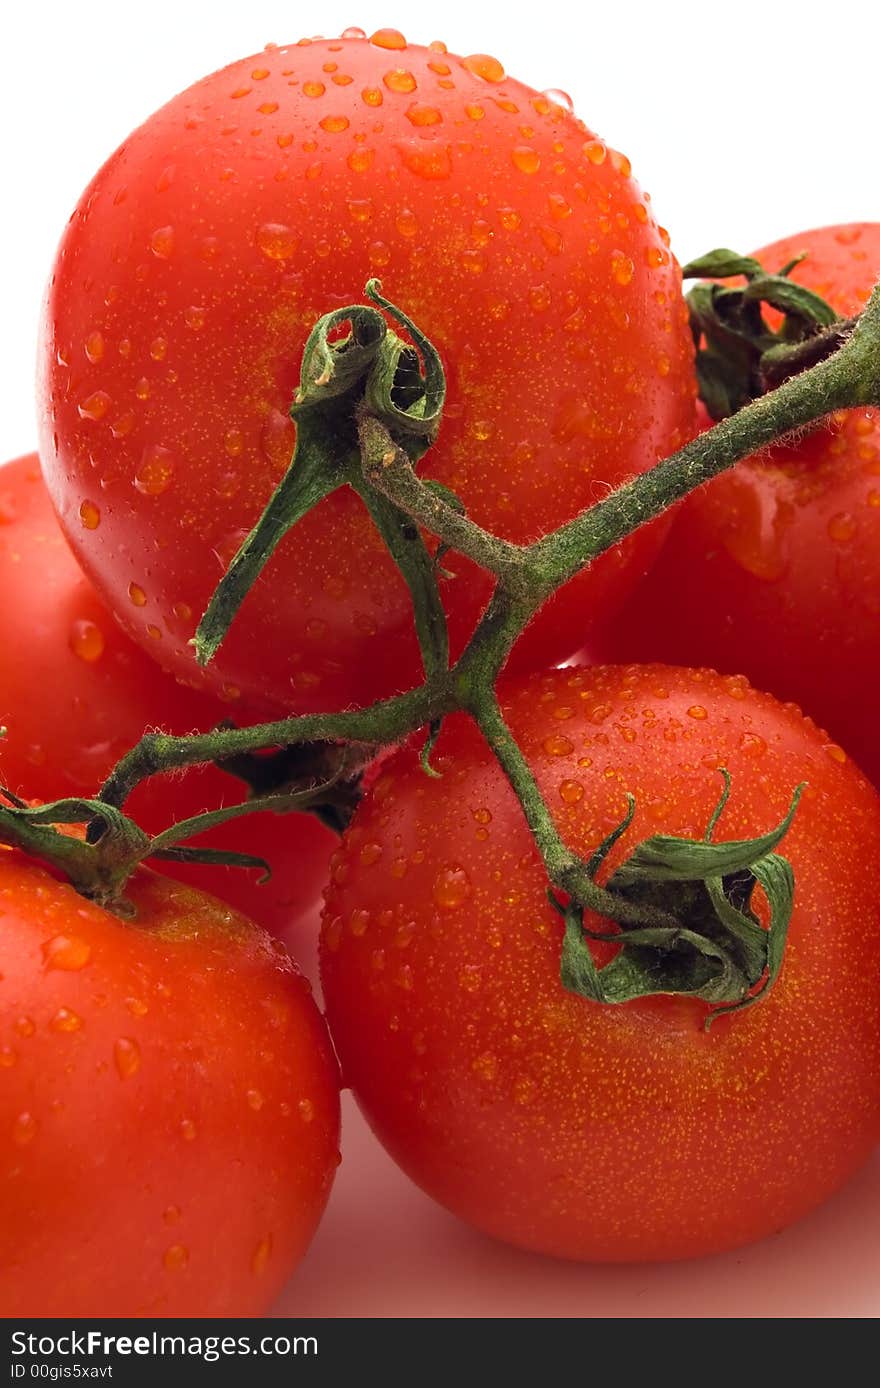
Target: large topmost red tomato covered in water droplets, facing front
(260, 199)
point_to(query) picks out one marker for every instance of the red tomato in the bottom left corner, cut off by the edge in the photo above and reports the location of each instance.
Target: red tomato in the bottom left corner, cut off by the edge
(169, 1111)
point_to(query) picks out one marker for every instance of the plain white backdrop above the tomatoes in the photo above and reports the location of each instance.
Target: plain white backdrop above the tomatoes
(745, 121)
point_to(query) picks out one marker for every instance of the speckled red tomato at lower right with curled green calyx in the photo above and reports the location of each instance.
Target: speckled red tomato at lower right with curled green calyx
(607, 1132)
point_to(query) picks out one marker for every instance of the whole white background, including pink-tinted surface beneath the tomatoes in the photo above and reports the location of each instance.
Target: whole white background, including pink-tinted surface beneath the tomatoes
(746, 123)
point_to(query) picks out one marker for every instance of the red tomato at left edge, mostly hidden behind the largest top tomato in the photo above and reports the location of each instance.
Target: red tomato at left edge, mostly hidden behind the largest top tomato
(76, 695)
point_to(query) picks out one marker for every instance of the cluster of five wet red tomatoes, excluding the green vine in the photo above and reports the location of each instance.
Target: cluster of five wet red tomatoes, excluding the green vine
(167, 1039)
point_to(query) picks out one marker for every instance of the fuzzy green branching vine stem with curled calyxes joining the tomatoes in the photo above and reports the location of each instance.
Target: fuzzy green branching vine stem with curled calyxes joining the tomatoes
(367, 412)
